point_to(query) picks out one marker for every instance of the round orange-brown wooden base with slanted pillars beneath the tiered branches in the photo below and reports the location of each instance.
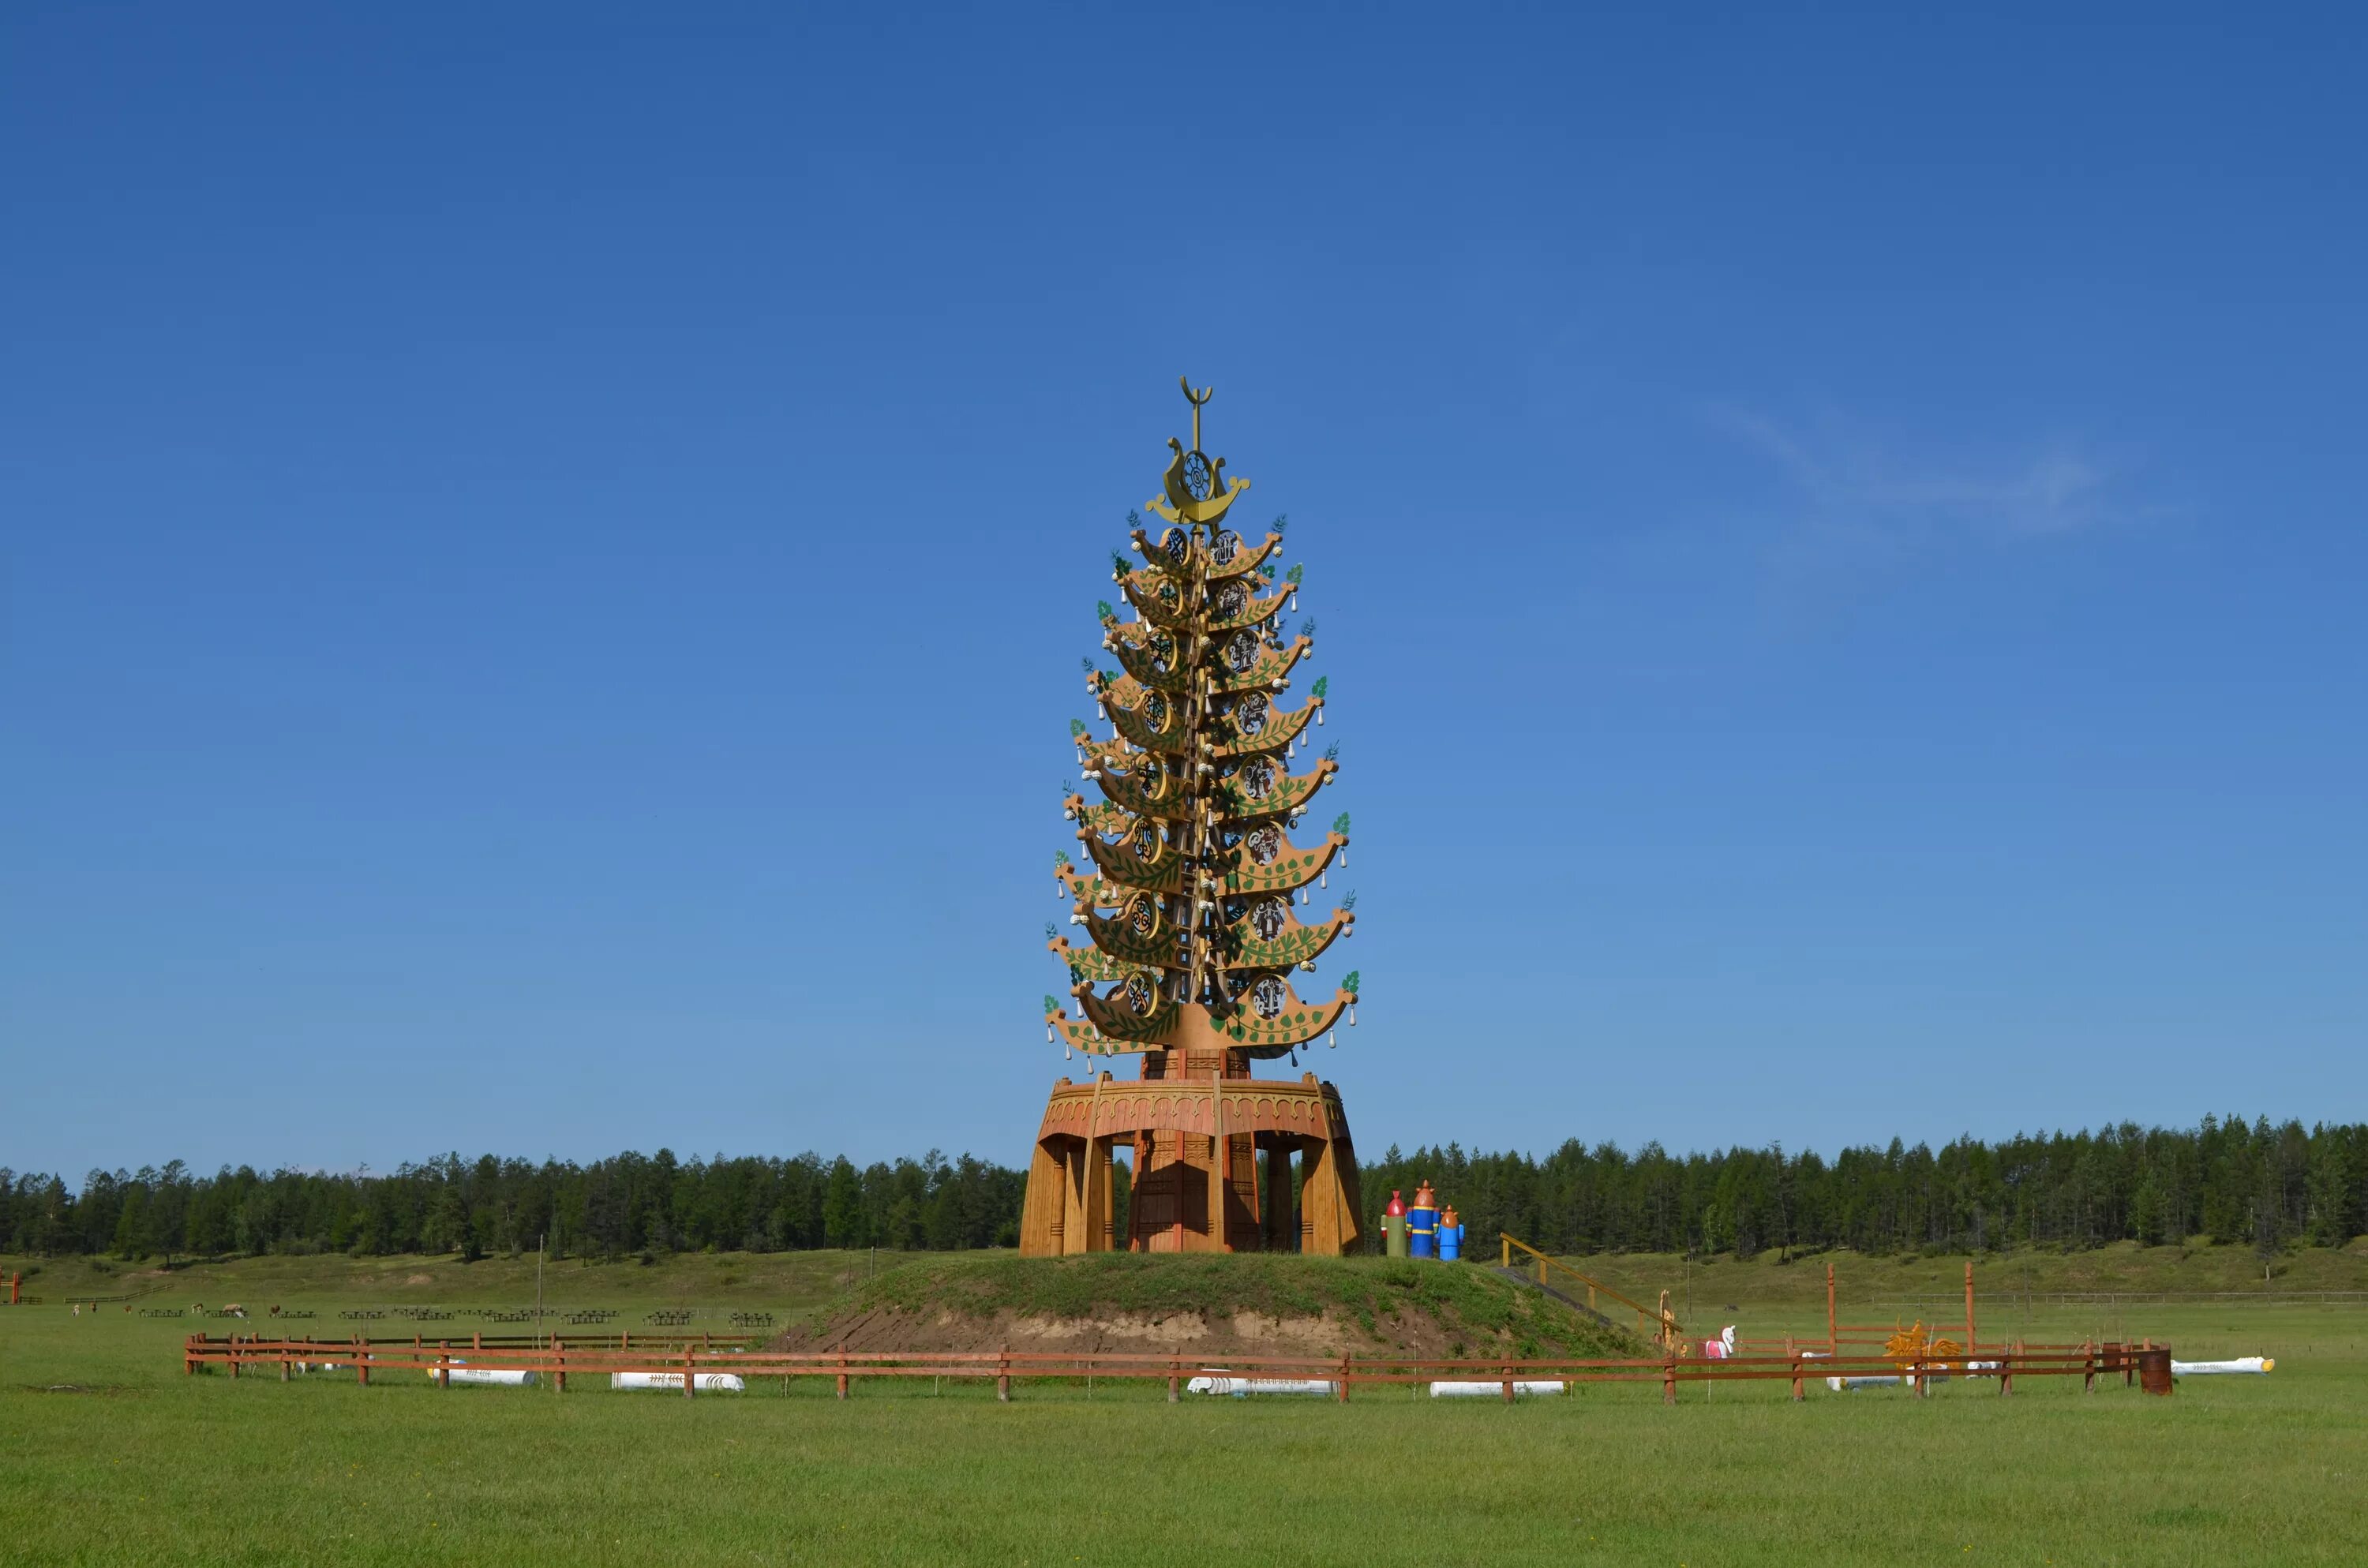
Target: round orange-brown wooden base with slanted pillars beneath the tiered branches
(1211, 1167)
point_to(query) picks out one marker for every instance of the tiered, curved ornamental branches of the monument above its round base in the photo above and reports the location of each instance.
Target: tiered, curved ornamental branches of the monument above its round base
(1188, 882)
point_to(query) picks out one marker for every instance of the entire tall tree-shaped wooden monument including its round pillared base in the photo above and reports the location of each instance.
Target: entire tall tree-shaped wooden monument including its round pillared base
(1188, 901)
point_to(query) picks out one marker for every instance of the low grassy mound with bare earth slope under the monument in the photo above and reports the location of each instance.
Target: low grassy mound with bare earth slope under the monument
(1360, 1306)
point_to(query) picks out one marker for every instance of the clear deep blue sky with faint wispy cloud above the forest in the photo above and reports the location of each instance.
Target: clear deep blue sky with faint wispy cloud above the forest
(548, 558)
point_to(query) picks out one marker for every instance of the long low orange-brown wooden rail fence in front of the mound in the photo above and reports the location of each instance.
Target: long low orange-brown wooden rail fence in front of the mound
(683, 1358)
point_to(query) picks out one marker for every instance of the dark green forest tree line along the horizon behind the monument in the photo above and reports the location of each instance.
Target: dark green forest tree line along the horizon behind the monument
(2227, 1178)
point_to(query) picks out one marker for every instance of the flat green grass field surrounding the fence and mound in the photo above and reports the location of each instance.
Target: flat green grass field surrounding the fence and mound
(108, 1455)
